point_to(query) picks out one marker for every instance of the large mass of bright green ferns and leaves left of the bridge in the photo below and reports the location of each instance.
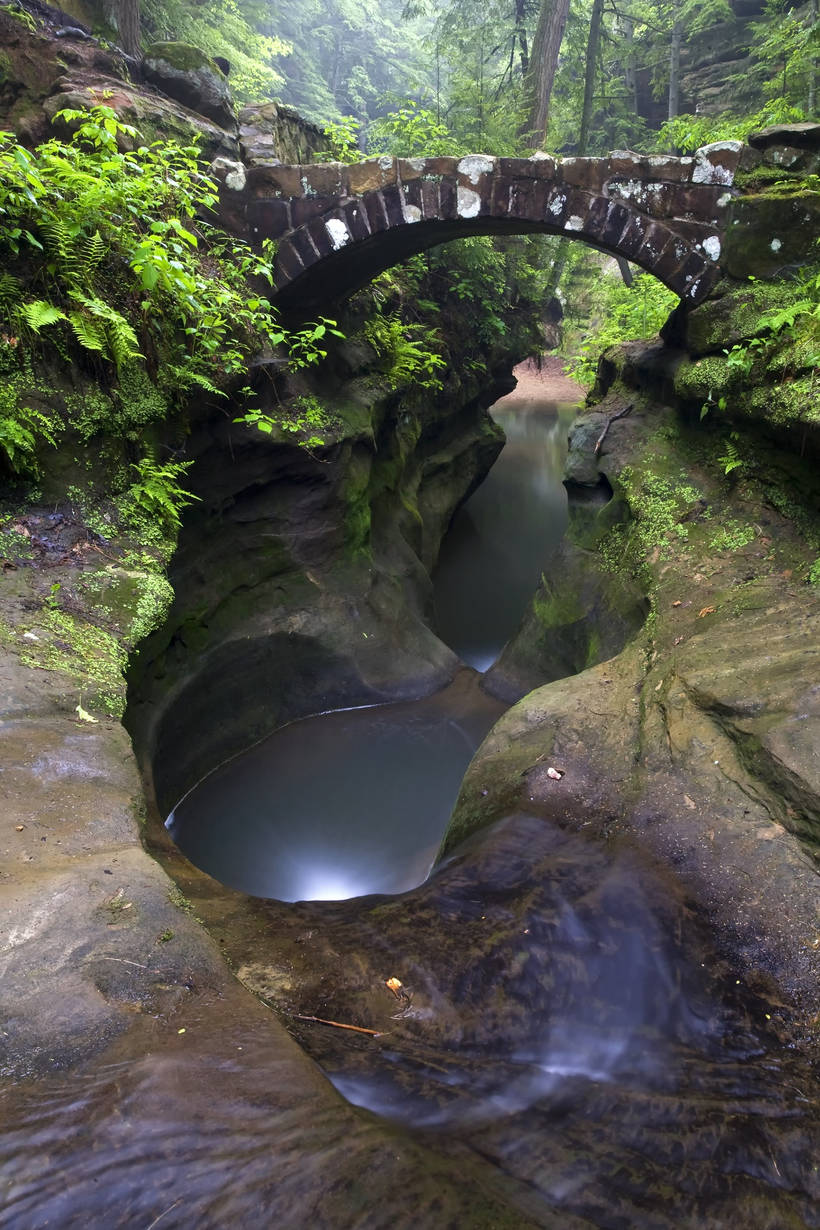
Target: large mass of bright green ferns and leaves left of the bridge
(133, 276)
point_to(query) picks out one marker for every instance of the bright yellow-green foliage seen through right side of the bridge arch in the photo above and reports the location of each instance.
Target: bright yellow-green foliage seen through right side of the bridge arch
(621, 314)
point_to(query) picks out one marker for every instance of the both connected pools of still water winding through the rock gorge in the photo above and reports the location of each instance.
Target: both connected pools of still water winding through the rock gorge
(269, 823)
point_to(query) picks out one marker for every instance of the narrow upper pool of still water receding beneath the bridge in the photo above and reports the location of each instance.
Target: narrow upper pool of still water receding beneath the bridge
(500, 541)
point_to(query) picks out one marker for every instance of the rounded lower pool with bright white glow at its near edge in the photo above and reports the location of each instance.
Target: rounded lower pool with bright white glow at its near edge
(341, 805)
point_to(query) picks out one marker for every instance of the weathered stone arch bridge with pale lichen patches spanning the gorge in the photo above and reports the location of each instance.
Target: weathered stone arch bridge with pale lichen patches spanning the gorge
(339, 226)
